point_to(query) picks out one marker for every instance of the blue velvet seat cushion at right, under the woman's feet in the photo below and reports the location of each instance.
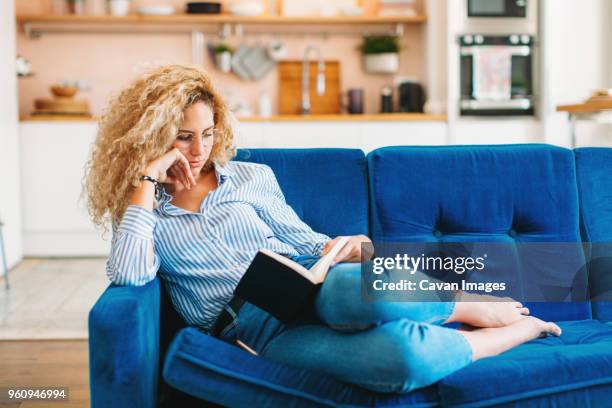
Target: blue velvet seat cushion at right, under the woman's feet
(574, 370)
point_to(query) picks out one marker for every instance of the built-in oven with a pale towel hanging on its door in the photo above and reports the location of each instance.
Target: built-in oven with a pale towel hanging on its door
(496, 74)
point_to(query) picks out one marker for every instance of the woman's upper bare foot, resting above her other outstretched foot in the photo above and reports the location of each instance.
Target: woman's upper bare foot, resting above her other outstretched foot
(487, 311)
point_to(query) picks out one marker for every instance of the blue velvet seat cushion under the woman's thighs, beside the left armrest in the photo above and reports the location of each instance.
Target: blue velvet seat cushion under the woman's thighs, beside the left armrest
(205, 367)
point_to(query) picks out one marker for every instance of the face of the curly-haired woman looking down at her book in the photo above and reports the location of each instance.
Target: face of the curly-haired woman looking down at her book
(195, 137)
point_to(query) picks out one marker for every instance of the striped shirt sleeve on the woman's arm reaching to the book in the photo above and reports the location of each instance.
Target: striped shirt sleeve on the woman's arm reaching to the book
(284, 222)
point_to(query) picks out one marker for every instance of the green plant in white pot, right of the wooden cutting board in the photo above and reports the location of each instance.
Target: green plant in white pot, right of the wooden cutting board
(380, 54)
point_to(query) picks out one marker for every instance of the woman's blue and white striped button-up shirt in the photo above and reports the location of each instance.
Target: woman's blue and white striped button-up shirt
(203, 255)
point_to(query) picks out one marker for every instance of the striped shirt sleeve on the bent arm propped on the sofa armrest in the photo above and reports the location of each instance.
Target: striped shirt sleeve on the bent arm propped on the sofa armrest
(128, 263)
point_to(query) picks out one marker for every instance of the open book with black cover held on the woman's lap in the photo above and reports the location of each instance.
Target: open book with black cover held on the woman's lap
(281, 286)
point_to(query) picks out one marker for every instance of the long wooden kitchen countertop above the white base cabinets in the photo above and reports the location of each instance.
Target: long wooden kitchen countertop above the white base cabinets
(378, 117)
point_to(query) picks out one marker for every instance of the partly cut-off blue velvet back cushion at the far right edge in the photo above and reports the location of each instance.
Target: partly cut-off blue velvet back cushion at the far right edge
(594, 174)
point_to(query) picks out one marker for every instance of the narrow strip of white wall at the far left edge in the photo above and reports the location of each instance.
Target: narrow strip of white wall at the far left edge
(9, 169)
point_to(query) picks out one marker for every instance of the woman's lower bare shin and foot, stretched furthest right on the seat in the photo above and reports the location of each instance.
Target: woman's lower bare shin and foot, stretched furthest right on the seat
(492, 341)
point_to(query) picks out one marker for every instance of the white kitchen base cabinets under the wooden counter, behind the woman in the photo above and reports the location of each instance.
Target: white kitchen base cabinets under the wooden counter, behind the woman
(53, 155)
